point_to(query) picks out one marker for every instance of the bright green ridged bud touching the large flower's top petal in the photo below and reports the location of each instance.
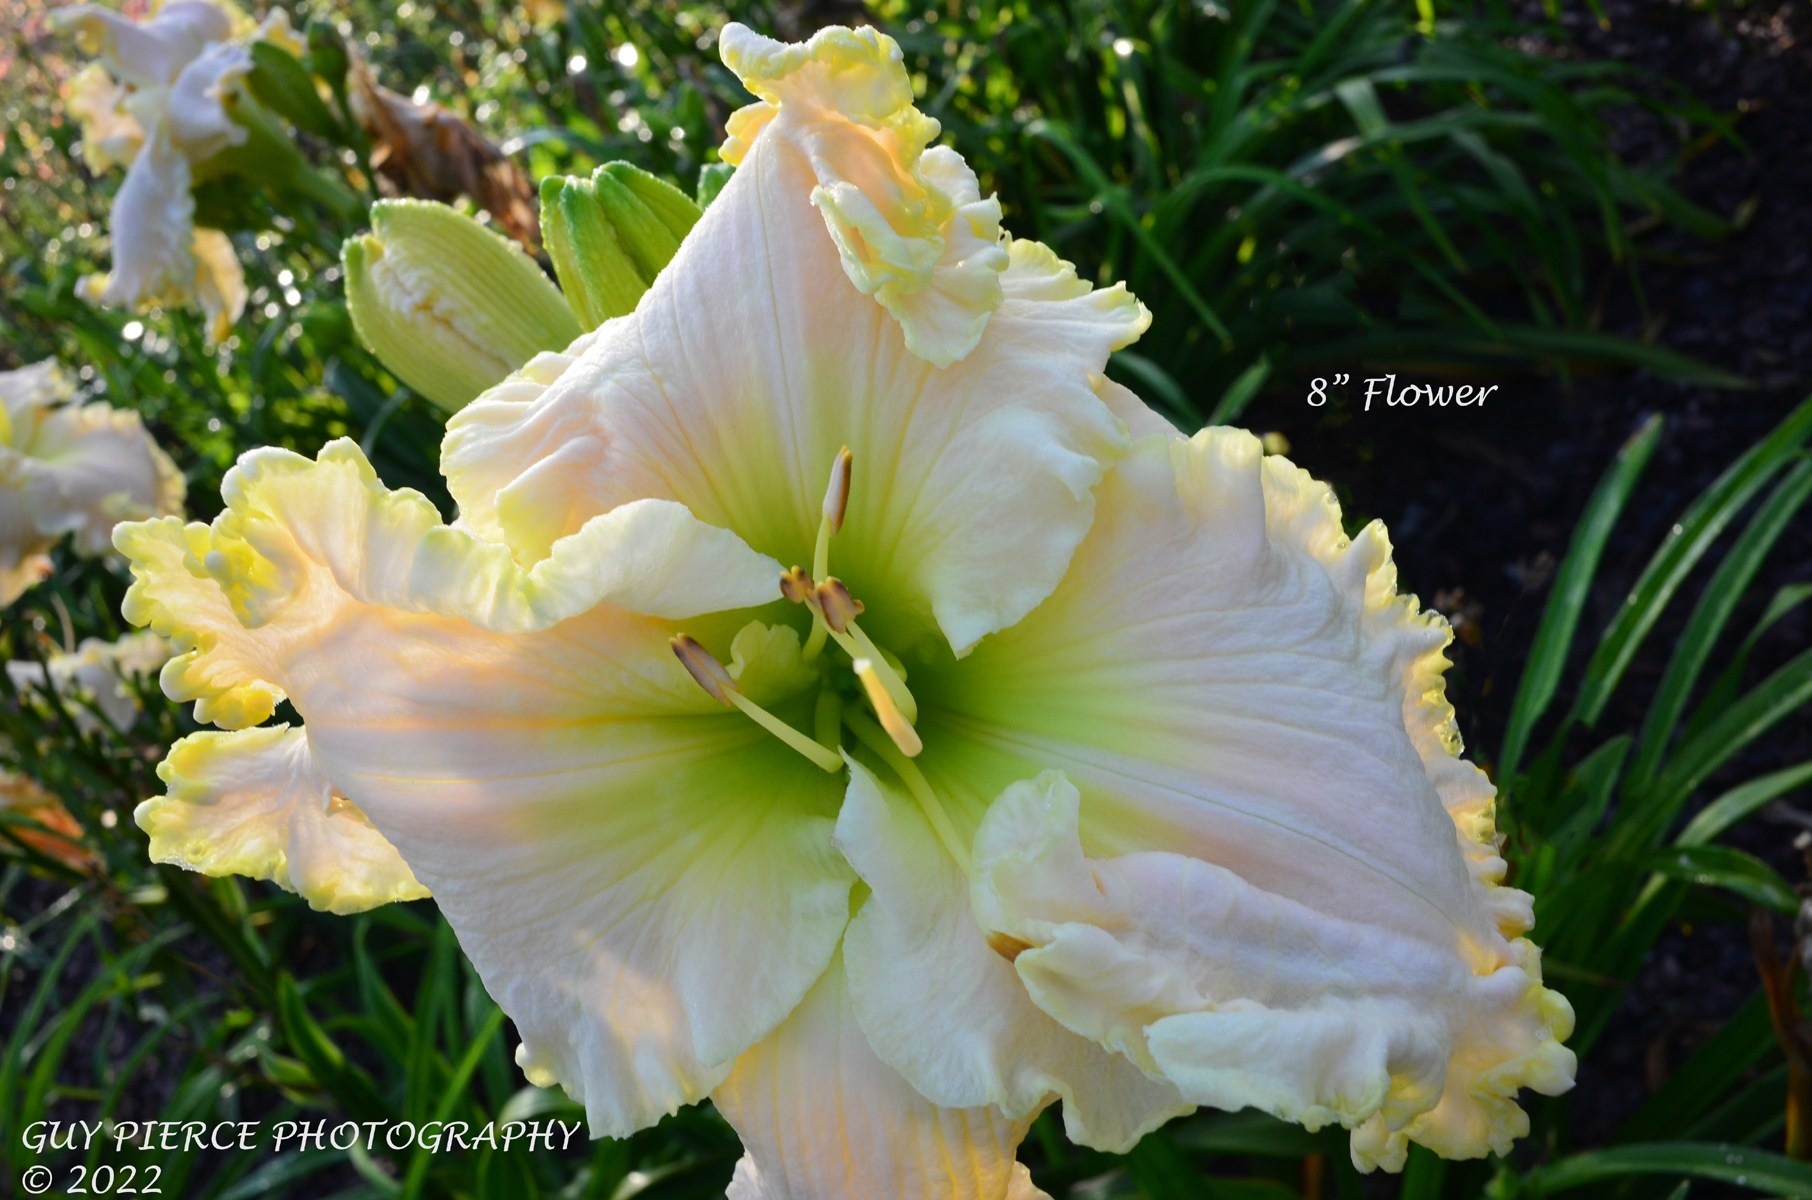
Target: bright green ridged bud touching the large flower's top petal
(610, 237)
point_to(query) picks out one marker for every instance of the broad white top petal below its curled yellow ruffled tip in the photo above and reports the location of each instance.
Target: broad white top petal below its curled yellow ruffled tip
(747, 367)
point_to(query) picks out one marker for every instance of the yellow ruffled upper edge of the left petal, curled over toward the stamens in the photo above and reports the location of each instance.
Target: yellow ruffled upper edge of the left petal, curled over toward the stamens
(302, 530)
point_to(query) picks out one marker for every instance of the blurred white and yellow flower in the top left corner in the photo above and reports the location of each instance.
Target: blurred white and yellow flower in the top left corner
(157, 101)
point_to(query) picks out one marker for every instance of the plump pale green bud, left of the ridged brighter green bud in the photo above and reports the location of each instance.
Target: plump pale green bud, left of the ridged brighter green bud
(450, 307)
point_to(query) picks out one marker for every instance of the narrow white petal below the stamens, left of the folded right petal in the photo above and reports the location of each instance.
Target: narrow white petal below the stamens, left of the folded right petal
(947, 1011)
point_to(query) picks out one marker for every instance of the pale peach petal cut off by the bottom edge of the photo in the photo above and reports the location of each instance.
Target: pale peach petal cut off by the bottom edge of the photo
(824, 1119)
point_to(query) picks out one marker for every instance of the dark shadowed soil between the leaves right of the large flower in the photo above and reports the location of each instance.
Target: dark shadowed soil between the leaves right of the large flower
(1481, 503)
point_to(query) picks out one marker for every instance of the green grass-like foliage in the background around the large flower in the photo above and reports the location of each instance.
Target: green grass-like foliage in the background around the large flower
(1284, 182)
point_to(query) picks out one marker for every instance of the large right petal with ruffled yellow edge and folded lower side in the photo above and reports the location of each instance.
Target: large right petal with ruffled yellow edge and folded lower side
(1257, 726)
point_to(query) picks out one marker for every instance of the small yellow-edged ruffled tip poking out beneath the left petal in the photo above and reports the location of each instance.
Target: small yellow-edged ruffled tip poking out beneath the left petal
(253, 804)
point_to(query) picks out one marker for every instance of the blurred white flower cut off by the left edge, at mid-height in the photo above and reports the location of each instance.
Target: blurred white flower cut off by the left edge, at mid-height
(70, 469)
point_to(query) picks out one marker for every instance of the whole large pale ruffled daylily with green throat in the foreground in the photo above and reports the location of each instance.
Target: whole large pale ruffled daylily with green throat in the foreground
(836, 579)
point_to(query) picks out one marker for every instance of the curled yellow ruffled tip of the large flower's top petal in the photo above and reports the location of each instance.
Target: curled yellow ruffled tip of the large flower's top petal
(911, 222)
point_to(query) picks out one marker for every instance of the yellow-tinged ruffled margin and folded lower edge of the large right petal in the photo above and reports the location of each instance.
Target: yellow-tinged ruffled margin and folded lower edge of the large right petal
(1226, 989)
